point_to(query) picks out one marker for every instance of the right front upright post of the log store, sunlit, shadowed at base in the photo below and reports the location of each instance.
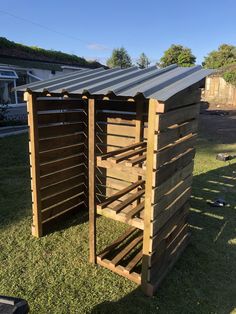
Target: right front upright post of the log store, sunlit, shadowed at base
(148, 192)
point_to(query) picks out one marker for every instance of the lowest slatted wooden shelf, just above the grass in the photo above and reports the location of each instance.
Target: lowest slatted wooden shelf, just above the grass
(124, 256)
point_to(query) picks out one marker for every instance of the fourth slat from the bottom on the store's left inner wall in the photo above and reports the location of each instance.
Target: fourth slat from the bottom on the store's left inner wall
(63, 185)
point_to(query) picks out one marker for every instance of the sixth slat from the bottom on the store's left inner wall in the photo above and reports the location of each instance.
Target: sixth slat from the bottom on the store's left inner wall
(61, 164)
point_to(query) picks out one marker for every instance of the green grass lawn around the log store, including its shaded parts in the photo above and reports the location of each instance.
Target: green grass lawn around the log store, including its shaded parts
(53, 272)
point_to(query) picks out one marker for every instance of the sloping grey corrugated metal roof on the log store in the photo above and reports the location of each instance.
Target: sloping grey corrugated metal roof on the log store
(152, 82)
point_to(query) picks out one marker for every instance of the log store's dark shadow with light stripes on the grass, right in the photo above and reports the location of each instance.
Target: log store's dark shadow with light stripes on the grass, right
(203, 280)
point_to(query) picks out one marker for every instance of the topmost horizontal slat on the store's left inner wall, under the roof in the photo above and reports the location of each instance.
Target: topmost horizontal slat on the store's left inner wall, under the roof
(60, 104)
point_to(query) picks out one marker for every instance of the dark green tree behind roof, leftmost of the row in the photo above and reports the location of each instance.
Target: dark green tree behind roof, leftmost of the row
(119, 58)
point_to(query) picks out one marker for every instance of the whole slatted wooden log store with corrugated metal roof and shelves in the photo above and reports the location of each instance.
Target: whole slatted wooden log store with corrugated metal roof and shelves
(120, 143)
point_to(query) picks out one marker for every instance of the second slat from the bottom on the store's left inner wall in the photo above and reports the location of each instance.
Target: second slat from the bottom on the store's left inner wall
(62, 207)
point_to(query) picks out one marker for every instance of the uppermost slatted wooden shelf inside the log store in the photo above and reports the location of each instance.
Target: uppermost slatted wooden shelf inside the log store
(132, 156)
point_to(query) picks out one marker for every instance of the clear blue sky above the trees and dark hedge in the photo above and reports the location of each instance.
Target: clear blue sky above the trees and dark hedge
(93, 28)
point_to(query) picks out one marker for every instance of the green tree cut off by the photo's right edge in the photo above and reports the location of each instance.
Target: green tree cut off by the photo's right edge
(225, 55)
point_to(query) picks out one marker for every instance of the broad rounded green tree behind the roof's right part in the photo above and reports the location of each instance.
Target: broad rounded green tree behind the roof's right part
(177, 54)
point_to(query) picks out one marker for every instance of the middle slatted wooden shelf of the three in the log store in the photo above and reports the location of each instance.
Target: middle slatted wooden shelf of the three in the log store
(129, 210)
